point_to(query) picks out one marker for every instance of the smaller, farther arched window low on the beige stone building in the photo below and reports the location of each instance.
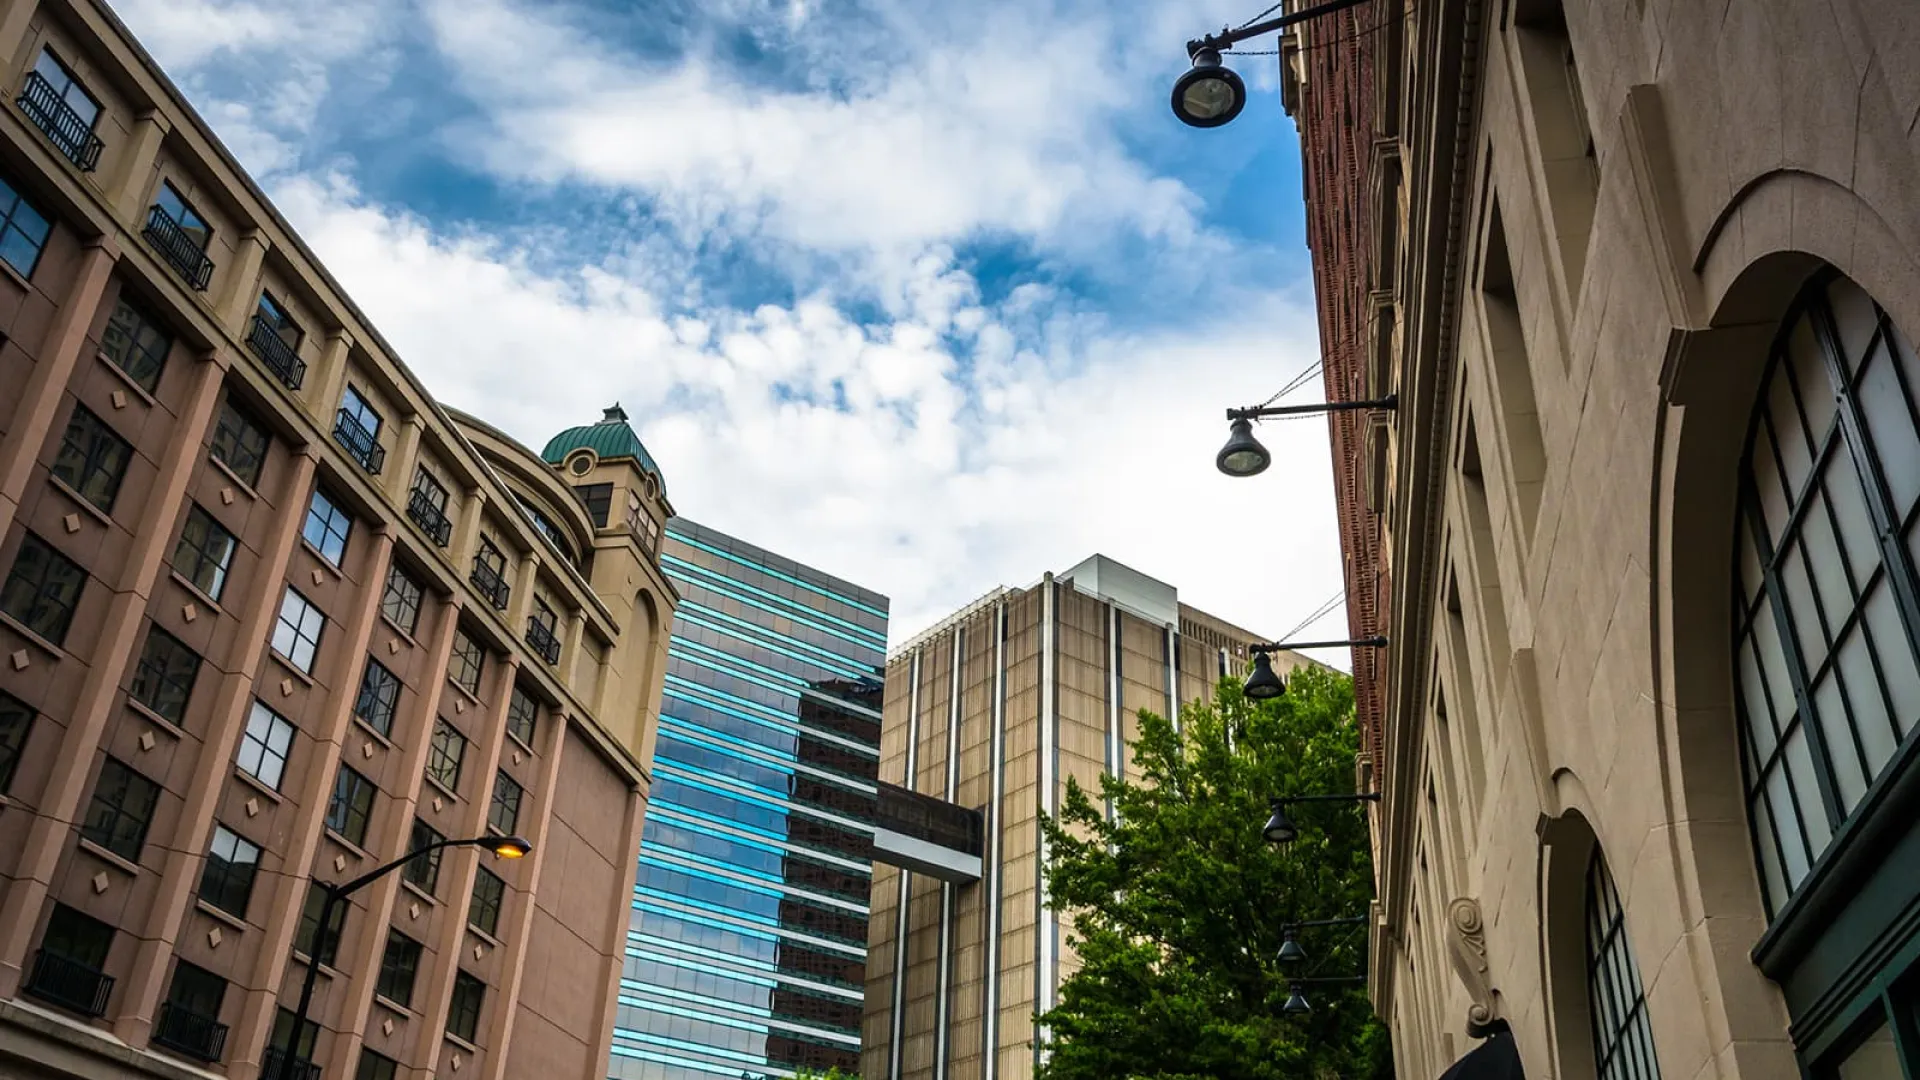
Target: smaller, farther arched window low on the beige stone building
(1623, 1039)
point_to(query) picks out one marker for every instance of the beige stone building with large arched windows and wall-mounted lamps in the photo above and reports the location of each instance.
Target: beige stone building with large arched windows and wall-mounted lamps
(1644, 283)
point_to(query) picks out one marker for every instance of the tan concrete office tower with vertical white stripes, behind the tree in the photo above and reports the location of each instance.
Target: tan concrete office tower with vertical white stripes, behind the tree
(996, 708)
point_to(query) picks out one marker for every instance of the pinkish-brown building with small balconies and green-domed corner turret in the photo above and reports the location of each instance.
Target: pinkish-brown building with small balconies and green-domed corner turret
(272, 616)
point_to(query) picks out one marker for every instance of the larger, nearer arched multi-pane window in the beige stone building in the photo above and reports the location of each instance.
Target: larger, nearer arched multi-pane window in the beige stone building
(1827, 614)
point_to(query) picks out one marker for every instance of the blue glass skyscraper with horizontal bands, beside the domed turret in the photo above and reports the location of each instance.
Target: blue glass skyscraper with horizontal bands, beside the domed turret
(748, 943)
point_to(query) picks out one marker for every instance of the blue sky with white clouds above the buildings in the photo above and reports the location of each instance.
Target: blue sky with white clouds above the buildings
(930, 295)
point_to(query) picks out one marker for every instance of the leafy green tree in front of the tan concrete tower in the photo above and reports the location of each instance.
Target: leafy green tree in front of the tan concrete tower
(1178, 904)
